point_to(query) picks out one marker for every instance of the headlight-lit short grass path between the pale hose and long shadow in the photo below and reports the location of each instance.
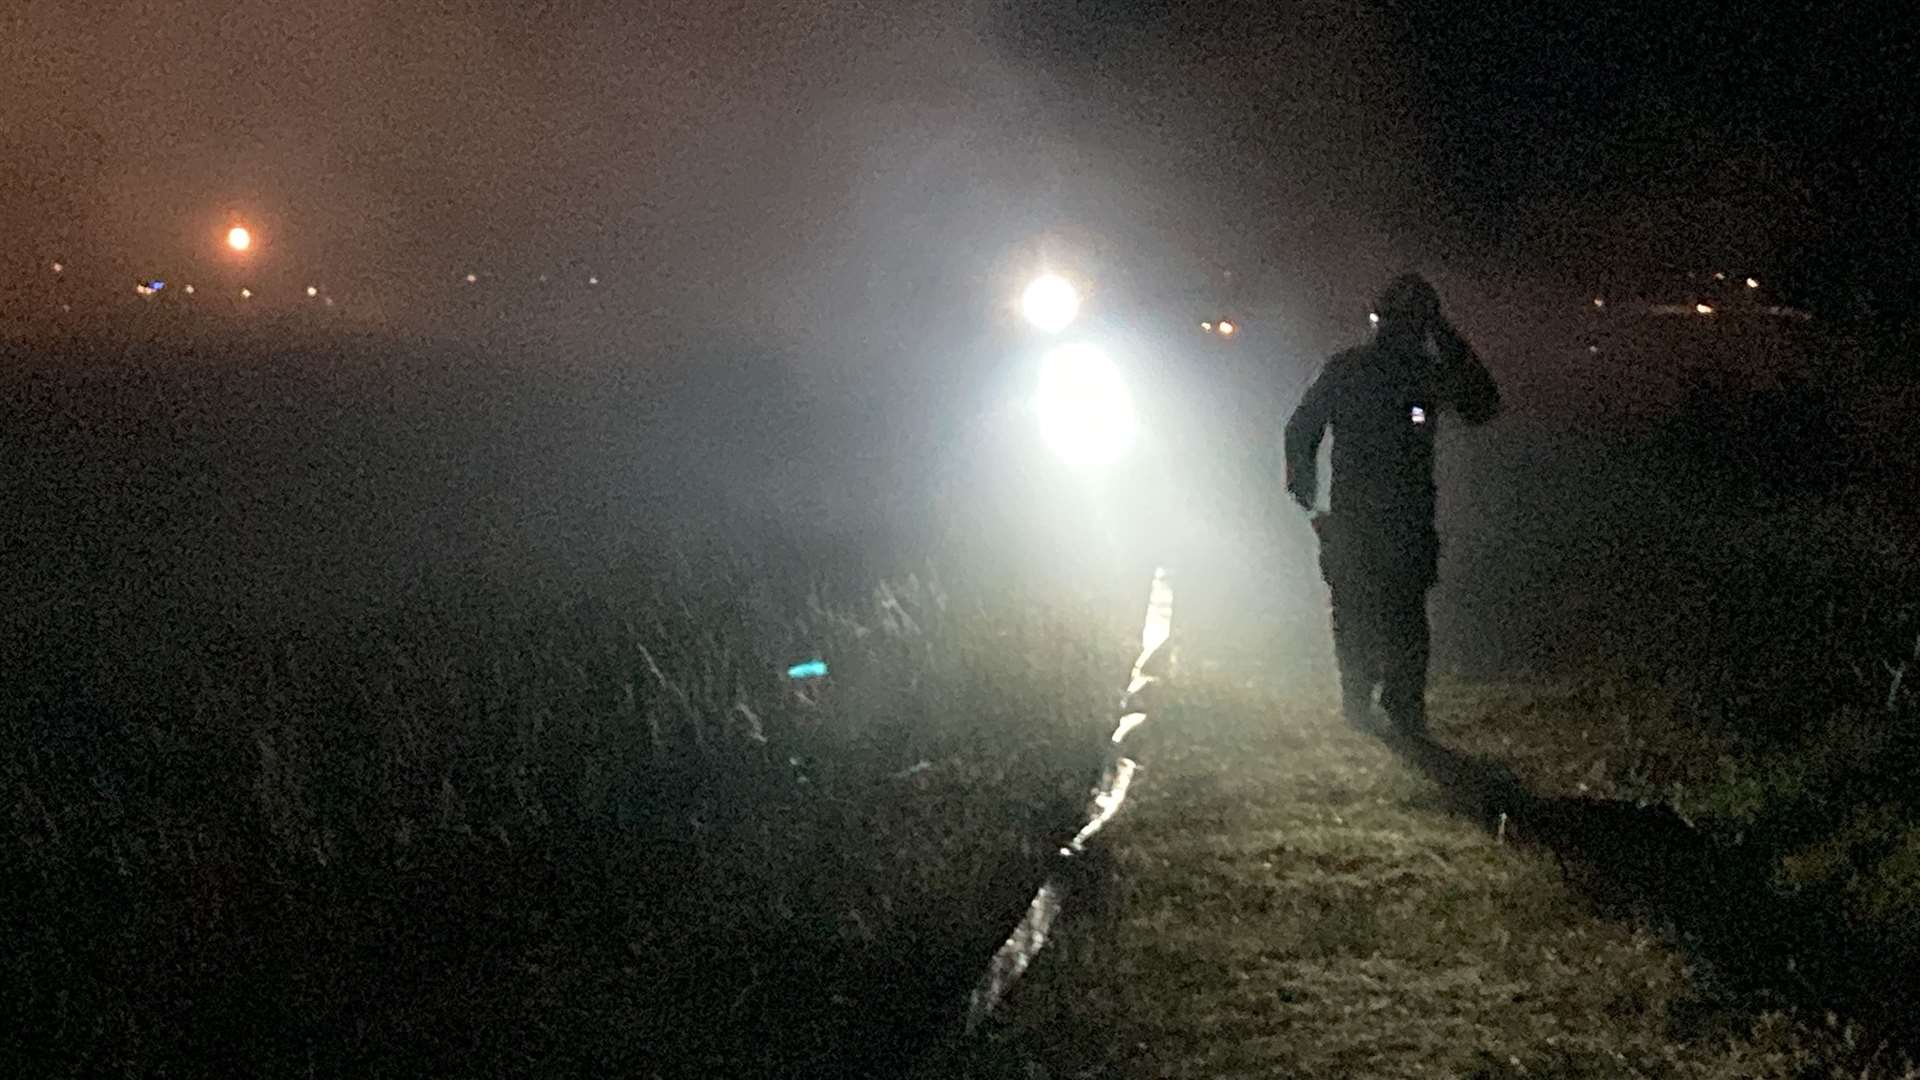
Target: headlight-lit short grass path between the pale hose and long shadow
(1287, 898)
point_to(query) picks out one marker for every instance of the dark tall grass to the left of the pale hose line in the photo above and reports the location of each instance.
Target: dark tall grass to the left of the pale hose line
(475, 833)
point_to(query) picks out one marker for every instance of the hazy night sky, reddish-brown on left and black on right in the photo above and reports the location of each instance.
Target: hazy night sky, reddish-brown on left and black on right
(823, 162)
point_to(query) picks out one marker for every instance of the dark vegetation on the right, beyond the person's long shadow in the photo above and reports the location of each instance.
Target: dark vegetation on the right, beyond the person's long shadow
(1756, 793)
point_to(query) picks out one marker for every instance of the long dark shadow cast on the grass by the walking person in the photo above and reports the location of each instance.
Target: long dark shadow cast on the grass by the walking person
(1717, 900)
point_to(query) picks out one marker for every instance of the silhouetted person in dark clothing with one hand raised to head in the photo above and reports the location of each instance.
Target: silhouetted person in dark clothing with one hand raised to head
(1380, 551)
